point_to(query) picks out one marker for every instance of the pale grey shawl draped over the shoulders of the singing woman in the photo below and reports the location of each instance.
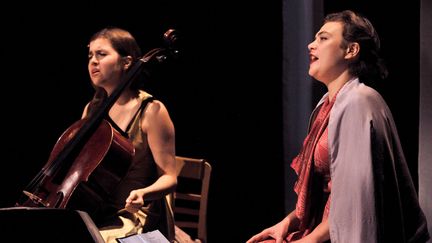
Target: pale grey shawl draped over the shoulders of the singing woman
(373, 198)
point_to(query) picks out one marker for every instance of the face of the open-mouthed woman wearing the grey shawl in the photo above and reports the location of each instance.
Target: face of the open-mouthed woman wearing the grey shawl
(326, 53)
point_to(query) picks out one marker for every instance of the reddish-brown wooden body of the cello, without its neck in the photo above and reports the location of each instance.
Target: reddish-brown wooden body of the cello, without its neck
(94, 168)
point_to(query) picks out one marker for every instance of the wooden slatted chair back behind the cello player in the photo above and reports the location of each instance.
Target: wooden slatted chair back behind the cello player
(190, 199)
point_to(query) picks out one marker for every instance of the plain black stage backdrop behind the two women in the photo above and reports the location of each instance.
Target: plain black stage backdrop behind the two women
(224, 94)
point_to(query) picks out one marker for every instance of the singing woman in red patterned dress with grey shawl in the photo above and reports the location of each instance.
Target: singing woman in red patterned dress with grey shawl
(353, 181)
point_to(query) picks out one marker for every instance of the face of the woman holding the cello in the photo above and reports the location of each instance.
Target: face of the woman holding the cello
(105, 65)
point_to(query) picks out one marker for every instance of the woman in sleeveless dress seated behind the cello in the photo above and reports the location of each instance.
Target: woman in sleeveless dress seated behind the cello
(139, 203)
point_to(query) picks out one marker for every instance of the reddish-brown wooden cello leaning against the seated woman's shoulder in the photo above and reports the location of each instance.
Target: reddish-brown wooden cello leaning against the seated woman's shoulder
(85, 157)
